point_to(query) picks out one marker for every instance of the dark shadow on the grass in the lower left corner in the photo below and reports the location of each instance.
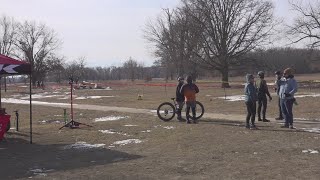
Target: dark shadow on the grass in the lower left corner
(19, 159)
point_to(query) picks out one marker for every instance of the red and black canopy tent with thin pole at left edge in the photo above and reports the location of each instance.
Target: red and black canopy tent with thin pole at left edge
(10, 66)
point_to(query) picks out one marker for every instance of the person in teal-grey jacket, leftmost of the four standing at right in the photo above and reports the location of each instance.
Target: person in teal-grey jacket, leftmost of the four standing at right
(250, 101)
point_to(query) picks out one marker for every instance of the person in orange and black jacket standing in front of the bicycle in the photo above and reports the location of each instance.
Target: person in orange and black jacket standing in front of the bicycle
(189, 91)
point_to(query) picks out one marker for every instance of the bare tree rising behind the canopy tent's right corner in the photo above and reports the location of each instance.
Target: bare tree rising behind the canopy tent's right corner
(36, 44)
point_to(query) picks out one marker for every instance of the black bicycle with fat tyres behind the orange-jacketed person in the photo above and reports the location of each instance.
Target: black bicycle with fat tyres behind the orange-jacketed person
(166, 111)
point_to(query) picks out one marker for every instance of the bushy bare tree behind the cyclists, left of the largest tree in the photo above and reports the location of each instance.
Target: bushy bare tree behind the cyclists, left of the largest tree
(175, 37)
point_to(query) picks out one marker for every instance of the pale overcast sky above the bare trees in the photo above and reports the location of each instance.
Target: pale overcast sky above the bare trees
(106, 32)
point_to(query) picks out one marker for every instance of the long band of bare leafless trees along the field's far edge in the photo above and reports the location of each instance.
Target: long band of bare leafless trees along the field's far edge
(202, 38)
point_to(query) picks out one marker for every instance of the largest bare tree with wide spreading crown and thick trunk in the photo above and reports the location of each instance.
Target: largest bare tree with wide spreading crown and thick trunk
(230, 29)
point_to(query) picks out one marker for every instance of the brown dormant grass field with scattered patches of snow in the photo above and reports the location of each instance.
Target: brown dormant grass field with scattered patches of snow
(131, 145)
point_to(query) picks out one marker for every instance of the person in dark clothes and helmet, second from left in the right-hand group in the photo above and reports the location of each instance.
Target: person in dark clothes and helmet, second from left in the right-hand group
(263, 92)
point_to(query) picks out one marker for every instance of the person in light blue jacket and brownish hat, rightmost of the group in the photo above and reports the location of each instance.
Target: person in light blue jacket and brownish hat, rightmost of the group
(288, 87)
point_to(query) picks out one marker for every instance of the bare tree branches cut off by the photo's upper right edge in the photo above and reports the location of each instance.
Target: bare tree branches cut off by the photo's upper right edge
(307, 24)
